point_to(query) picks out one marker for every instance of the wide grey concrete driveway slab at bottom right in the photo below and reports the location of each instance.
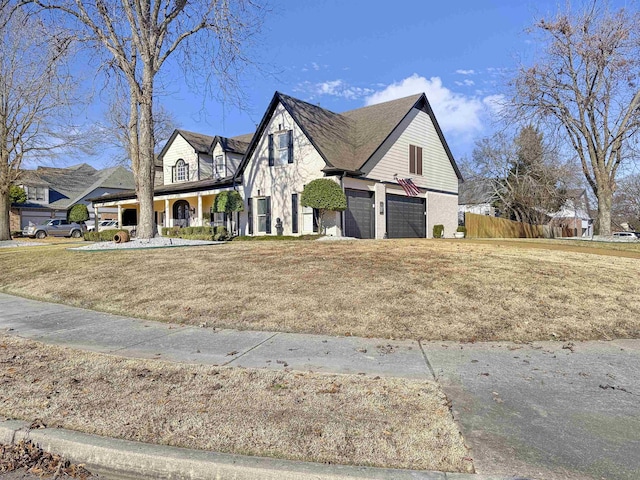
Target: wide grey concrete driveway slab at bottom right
(548, 410)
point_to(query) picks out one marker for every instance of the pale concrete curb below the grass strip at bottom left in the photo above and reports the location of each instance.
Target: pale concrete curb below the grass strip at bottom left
(124, 459)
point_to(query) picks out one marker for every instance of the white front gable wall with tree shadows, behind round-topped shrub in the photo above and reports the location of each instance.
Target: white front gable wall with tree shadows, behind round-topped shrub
(281, 181)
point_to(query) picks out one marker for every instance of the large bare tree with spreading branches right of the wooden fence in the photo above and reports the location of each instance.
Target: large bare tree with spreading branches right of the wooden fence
(586, 85)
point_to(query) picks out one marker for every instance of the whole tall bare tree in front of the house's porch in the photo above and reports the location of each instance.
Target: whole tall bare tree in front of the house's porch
(138, 36)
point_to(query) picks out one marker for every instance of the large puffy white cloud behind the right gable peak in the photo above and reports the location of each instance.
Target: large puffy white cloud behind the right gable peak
(457, 113)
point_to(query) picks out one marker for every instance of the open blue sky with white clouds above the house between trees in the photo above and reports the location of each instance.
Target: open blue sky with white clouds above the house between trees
(345, 54)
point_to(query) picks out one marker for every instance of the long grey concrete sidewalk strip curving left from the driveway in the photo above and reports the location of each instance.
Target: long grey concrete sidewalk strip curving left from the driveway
(129, 337)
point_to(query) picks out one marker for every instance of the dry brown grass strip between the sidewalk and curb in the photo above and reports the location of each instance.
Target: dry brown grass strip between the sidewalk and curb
(346, 419)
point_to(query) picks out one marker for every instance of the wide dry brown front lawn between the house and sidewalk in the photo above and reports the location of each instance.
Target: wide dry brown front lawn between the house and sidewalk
(423, 289)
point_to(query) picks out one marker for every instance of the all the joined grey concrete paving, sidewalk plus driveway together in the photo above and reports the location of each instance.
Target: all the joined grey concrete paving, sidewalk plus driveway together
(546, 410)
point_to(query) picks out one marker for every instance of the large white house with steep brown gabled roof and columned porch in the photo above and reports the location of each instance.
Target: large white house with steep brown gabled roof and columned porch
(366, 151)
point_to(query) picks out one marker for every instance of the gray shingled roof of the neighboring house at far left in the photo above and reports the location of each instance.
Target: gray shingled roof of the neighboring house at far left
(68, 186)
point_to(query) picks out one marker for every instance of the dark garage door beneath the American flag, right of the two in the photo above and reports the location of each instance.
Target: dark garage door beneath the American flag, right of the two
(405, 217)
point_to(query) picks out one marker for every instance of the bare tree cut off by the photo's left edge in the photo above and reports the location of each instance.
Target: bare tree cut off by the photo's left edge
(34, 92)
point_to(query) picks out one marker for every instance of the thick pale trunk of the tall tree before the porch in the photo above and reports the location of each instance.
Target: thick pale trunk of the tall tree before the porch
(145, 174)
